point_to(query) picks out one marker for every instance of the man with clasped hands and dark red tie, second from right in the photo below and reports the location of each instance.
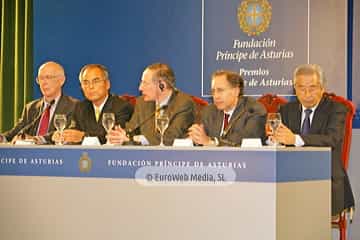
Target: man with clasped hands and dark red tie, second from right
(232, 117)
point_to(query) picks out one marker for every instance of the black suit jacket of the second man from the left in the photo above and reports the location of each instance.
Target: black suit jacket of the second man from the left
(84, 116)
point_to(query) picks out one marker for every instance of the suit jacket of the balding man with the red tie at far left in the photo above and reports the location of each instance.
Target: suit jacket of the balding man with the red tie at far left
(32, 111)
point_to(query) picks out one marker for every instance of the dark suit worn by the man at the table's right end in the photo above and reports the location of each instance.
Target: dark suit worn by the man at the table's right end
(327, 129)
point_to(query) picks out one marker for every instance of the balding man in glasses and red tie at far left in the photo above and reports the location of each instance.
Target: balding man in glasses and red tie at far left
(36, 122)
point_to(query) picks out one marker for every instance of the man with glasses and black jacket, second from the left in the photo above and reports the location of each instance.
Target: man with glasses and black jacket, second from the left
(87, 118)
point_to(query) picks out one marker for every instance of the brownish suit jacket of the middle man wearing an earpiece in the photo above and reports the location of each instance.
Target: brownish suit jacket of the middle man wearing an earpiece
(181, 110)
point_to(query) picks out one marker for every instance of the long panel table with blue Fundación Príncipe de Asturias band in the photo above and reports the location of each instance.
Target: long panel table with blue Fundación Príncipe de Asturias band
(132, 192)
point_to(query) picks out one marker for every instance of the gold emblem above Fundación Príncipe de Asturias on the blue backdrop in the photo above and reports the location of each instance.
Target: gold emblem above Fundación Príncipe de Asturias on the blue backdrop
(254, 16)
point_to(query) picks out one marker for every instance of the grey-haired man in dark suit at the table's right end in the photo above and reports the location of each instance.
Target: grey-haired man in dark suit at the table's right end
(315, 120)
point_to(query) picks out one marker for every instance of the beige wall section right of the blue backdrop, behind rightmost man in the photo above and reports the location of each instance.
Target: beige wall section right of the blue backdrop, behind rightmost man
(328, 41)
